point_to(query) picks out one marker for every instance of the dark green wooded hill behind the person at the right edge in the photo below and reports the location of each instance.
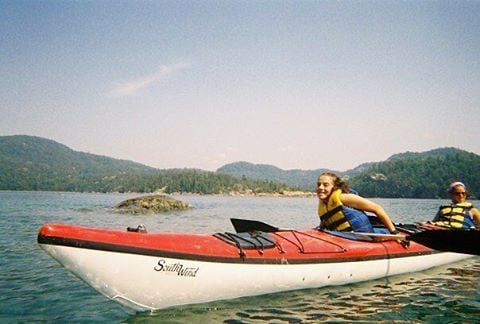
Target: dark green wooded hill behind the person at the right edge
(420, 175)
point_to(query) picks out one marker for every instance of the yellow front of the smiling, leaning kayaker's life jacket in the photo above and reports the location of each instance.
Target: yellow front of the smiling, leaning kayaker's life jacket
(331, 214)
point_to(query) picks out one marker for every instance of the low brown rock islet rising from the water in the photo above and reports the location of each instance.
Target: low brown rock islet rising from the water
(151, 204)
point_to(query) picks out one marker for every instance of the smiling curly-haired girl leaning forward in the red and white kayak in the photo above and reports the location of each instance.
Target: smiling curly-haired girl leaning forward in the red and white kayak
(340, 210)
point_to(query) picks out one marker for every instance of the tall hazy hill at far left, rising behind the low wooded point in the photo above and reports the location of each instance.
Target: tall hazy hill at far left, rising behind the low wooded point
(34, 163)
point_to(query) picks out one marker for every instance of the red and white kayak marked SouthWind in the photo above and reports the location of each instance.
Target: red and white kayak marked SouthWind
(150, 271)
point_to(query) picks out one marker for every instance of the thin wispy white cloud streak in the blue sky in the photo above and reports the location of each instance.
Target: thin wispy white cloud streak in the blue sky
(133, 87)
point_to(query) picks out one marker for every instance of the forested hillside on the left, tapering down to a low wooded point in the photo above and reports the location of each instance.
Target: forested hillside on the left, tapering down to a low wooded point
(34, 163)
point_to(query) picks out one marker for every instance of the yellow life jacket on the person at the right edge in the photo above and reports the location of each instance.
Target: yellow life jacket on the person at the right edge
(455, 215)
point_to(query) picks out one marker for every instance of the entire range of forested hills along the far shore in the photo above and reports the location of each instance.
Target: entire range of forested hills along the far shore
(34, 163)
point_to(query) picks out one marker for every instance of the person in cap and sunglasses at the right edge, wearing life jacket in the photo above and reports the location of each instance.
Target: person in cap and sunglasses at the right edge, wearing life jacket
(458, 213)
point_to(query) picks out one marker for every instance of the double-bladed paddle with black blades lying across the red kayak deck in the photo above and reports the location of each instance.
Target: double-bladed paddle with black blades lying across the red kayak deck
(458, 241)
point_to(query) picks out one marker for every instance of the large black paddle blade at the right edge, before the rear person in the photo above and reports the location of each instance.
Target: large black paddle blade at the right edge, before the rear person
(458, 241)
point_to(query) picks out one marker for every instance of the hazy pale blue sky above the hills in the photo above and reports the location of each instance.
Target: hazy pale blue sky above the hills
(199, 84)
